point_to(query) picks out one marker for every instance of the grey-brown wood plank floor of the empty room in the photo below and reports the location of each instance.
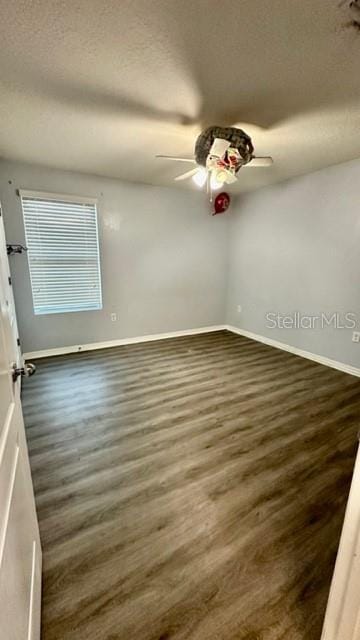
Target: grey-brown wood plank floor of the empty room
(189, 488)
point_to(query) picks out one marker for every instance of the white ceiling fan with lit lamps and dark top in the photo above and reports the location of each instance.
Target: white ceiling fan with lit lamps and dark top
(220, 153)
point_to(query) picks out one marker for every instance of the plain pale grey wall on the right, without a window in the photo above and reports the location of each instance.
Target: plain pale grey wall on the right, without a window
(296, 247)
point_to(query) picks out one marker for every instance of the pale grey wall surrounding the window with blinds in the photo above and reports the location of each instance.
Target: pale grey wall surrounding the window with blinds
(163, 259)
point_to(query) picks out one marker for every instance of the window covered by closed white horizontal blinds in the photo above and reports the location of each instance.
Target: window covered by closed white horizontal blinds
(63, 252)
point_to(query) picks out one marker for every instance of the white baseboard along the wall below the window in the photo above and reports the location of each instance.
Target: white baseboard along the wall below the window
(57, 351)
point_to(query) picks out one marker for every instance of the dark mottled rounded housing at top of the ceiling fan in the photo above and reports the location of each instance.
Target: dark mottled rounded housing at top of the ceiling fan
(237, 138)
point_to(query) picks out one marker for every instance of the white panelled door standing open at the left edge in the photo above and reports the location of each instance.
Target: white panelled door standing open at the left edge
(20, 551)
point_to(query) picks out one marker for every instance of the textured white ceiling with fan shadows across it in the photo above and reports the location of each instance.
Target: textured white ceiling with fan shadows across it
(101, 87)
